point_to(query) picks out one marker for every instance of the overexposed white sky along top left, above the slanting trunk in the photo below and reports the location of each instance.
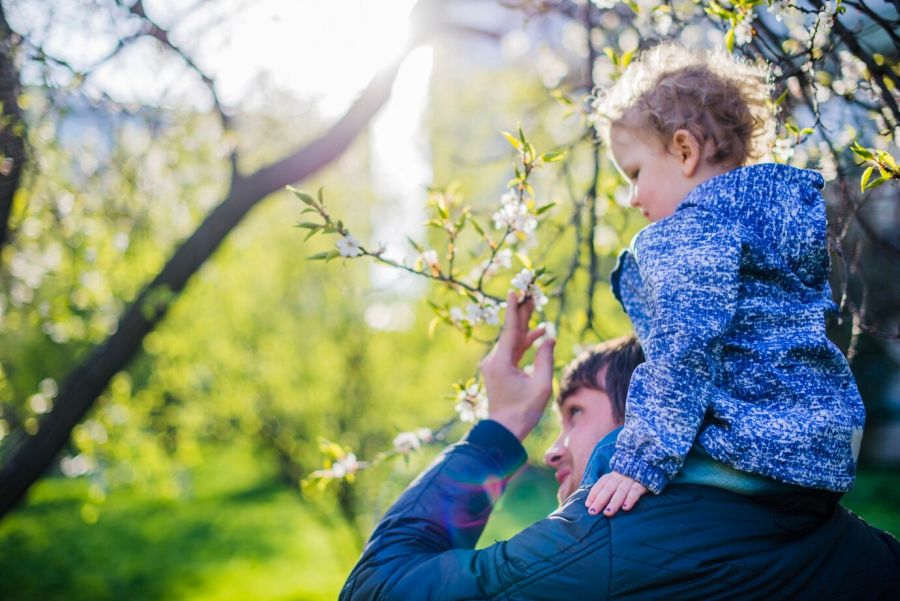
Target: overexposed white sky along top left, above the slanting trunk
(317, 48)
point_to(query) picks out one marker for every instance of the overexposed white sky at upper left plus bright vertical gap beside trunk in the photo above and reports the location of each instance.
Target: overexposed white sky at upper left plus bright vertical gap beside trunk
(326, 50)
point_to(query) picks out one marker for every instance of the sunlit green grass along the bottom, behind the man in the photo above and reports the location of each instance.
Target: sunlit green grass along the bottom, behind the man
(241, 536)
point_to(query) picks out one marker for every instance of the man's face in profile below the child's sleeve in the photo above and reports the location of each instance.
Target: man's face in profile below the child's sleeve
(586, 418)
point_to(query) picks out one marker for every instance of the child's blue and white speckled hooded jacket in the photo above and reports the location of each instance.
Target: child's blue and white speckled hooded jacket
(728, 297)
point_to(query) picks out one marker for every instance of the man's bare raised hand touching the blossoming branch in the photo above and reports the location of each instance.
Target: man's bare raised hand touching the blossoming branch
(516, 399)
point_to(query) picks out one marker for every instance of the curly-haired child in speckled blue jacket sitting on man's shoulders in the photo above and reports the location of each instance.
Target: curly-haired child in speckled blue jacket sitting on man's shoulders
(727, 289)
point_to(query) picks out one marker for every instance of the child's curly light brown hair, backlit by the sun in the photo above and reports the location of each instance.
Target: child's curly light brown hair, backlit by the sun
(712, 94)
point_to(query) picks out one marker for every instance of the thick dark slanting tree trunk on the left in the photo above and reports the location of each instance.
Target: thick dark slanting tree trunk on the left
(34, 454)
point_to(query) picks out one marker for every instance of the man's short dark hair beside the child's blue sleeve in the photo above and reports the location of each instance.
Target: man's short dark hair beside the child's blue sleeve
(619, 356)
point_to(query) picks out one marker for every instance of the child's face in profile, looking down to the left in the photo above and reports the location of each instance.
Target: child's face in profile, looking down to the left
(658, 179)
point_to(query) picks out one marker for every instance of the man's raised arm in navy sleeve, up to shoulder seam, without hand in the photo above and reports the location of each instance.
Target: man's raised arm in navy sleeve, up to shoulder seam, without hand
(423, 547)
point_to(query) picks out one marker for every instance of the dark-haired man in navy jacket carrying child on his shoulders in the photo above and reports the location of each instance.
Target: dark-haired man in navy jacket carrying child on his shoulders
(690, 542)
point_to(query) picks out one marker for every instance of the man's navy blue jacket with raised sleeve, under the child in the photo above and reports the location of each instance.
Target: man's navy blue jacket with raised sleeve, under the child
(690, 542)
